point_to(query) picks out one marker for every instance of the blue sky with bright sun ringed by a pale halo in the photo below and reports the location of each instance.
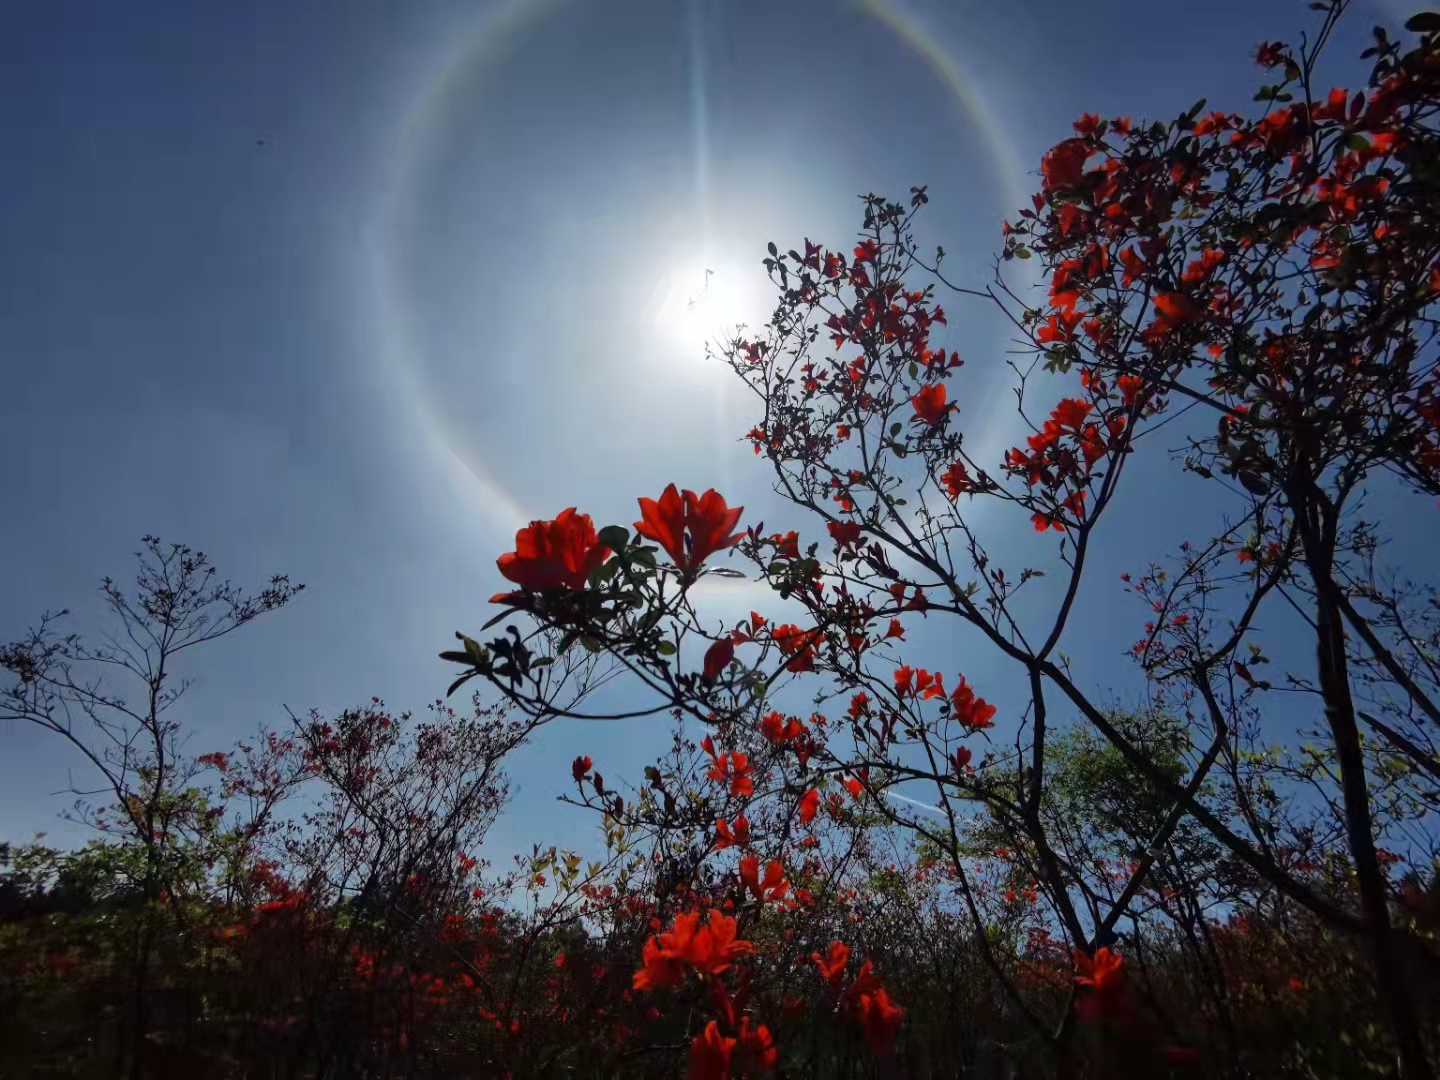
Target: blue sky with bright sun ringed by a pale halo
(352, 290)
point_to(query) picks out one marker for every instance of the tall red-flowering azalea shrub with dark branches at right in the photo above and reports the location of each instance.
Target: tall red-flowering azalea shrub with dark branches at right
(1278, 274)
